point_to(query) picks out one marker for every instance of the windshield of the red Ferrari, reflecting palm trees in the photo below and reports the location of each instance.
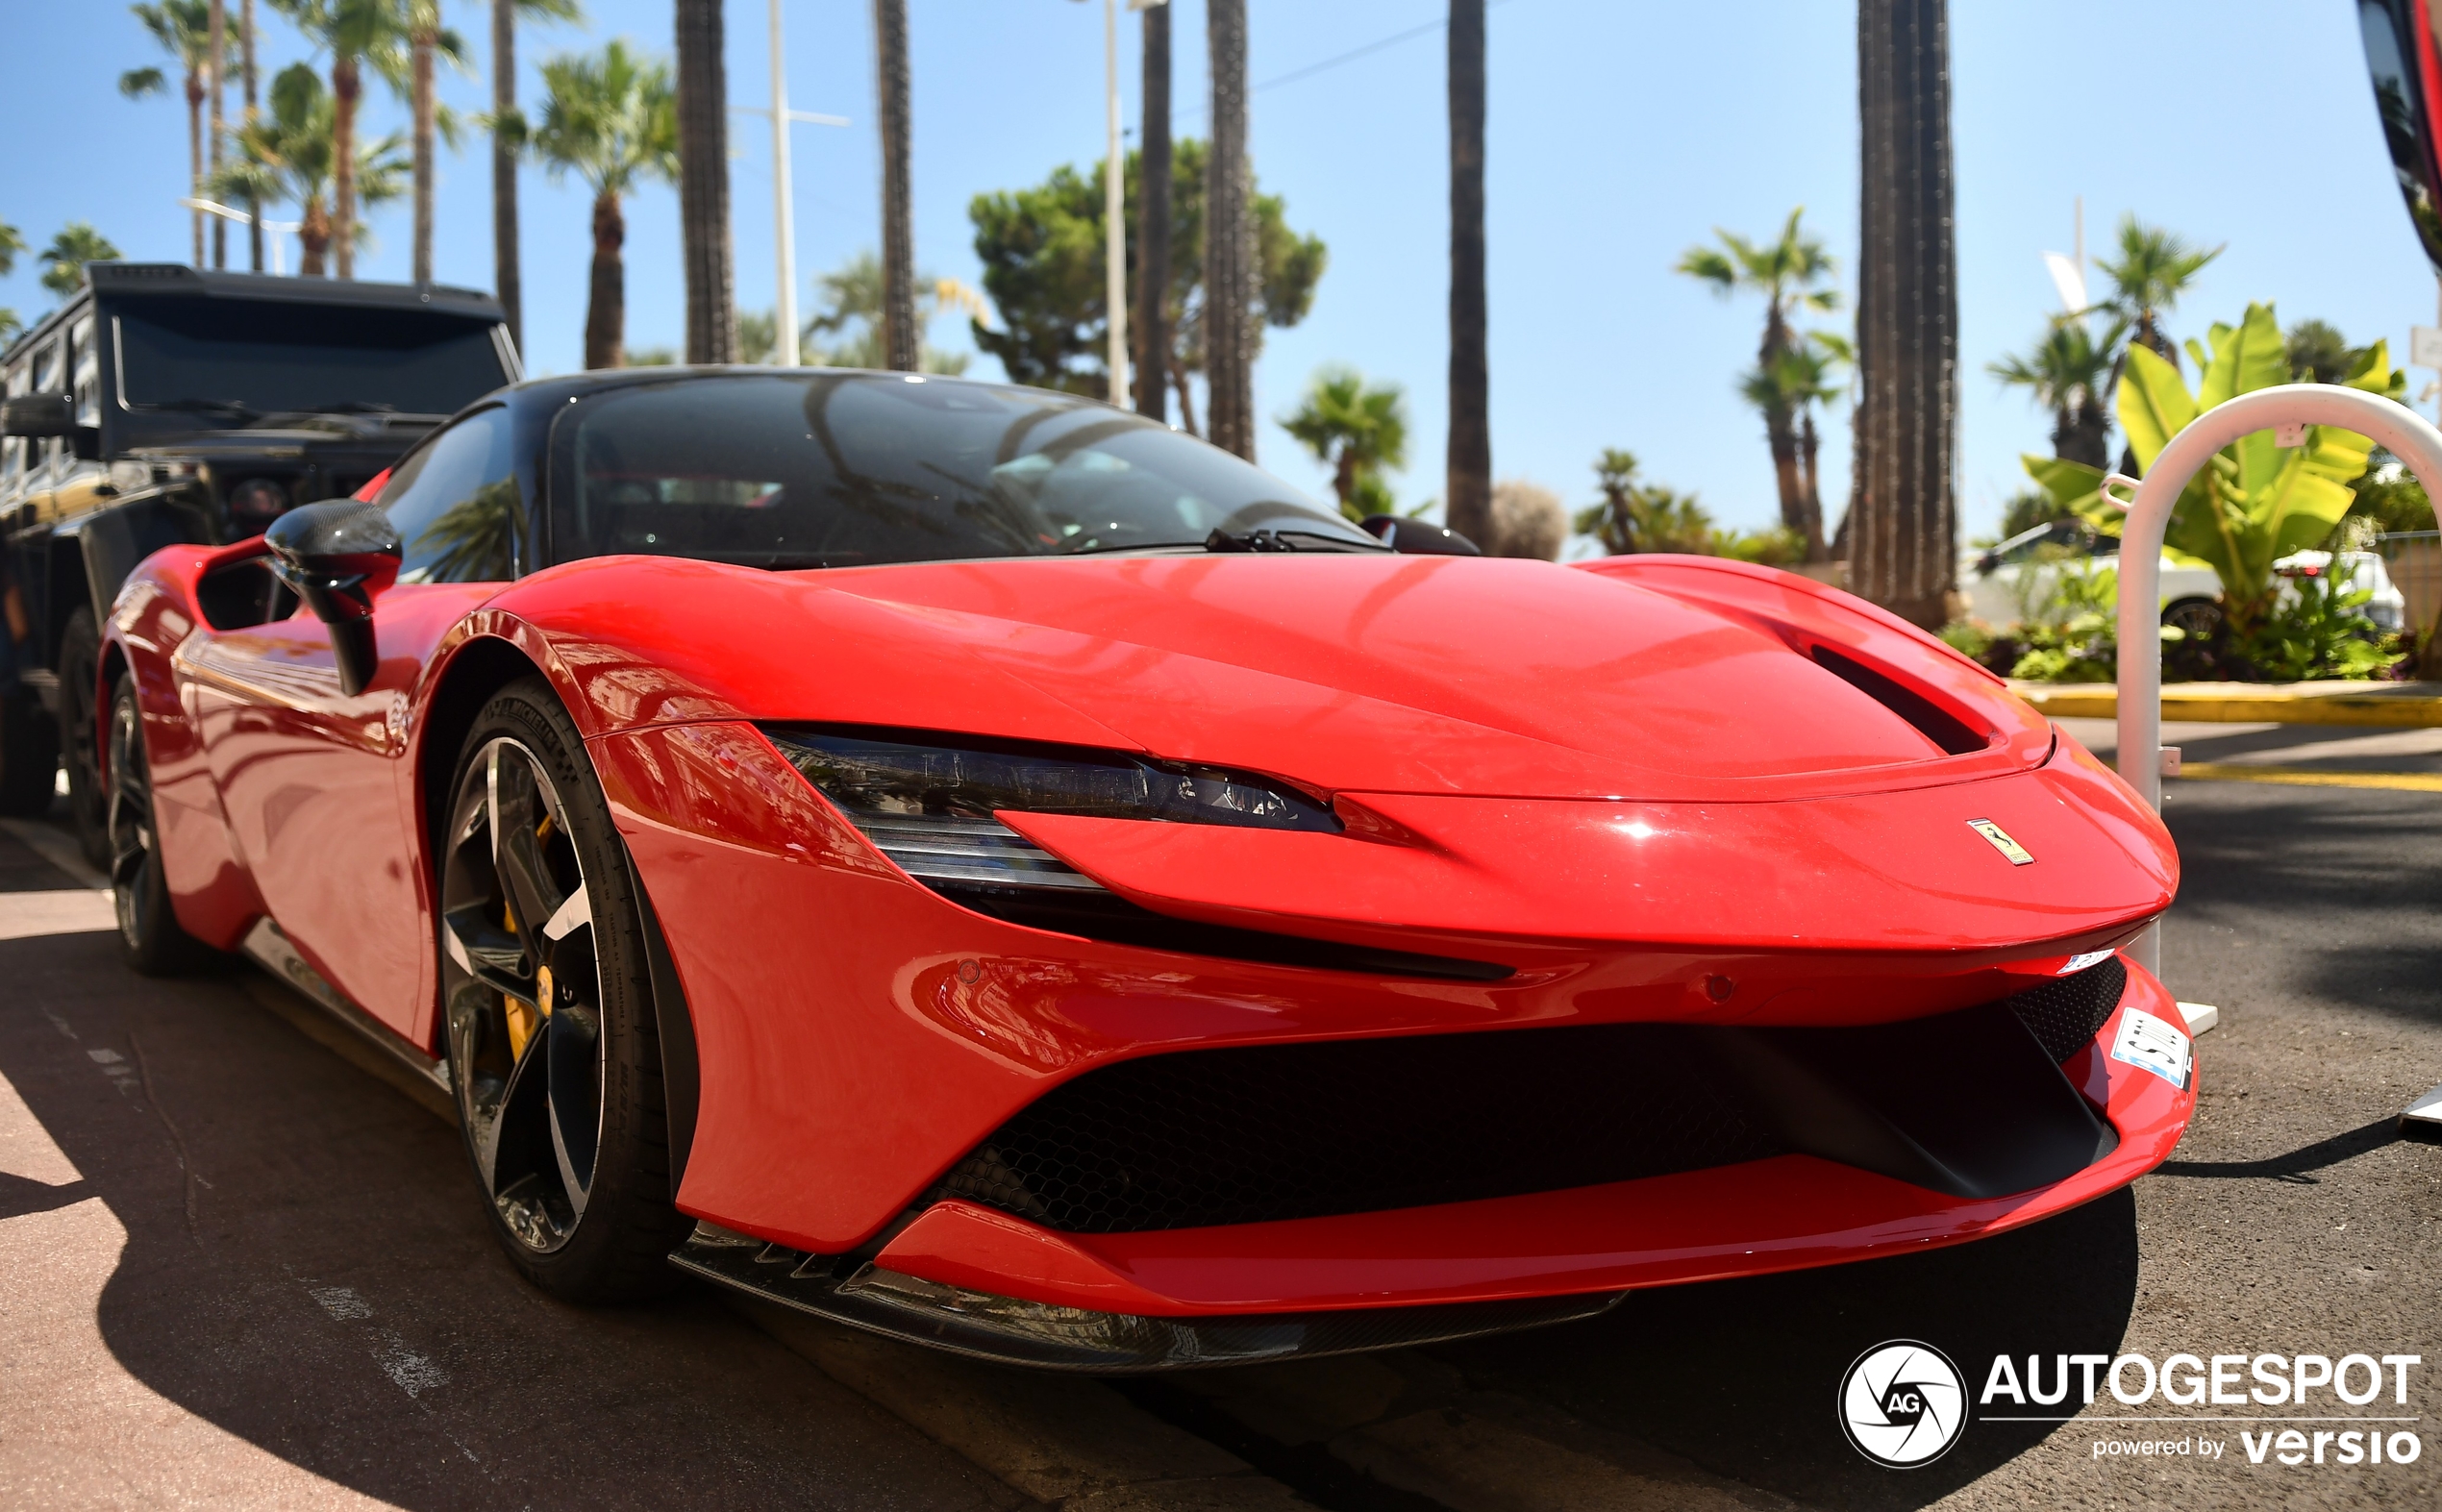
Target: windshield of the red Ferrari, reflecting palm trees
(841, 470)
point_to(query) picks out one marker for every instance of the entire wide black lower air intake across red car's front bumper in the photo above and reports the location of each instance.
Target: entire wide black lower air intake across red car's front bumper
(1967, 1103)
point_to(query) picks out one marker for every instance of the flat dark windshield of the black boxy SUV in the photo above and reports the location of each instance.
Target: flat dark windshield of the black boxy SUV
(265, 358)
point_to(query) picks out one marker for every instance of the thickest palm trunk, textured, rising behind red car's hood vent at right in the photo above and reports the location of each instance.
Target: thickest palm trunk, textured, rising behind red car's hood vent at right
(1904, 509)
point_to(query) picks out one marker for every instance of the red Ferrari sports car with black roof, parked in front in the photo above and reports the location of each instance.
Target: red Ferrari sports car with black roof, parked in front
(995, 871)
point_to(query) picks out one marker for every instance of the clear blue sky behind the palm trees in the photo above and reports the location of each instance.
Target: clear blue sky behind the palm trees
(1620, 133)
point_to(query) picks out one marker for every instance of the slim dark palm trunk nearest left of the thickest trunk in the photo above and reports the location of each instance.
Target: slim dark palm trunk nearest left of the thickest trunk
(1469, 485)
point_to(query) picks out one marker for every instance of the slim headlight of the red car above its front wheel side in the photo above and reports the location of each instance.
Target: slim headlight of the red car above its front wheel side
(932, 807)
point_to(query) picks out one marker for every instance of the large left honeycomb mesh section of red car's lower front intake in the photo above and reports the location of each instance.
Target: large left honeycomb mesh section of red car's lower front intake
(1298, 1132)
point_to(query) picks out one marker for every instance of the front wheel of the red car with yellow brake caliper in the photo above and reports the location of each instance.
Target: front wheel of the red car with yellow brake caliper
(548, 1008)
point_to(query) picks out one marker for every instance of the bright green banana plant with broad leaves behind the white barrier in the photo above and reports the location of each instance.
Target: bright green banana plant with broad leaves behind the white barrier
(2255, 502)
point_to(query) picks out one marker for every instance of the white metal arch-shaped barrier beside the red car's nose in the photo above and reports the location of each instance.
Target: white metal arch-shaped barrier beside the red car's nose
(2287, 409)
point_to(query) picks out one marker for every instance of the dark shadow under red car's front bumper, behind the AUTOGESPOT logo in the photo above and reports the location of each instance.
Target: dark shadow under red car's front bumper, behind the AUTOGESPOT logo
(1745, 1376)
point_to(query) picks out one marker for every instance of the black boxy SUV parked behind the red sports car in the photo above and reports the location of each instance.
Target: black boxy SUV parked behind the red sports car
(165, 404)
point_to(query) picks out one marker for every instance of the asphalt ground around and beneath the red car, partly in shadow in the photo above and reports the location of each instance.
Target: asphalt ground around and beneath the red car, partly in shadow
(248, 1271)
